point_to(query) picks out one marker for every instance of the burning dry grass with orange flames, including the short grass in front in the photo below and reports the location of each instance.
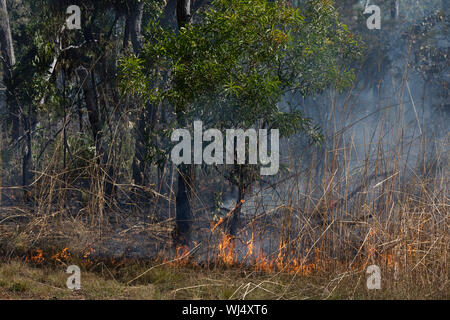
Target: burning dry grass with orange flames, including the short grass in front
(337, 216)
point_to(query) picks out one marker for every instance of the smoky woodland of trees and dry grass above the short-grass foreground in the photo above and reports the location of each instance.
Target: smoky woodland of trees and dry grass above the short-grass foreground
(87, 115)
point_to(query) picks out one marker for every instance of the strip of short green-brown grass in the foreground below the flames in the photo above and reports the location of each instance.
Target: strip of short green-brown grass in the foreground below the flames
(22, 280)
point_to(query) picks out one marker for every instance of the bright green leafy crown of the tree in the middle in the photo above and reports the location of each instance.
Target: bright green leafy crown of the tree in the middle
(234, 66)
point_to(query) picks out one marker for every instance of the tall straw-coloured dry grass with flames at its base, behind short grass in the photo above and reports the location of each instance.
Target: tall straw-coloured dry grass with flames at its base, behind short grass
(377, 199)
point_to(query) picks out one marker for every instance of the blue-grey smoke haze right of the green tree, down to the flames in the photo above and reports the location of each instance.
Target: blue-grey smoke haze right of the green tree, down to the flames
(391, 127)
